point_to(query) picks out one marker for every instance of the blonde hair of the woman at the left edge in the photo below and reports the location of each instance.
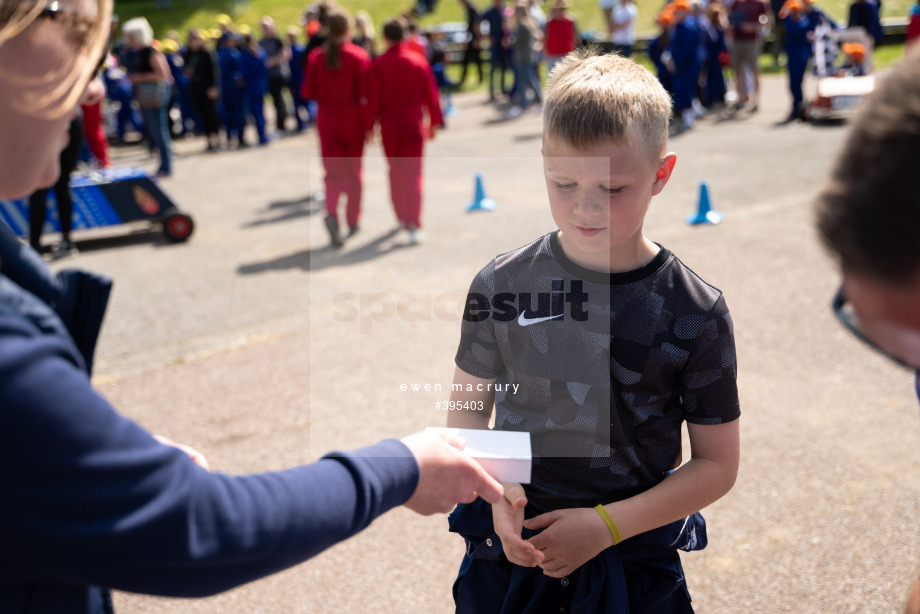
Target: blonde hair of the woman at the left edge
(69, 80)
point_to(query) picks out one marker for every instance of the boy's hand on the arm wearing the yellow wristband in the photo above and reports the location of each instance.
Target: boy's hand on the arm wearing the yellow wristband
(571, 538)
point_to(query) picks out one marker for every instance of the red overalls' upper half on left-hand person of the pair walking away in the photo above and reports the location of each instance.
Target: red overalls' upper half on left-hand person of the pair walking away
(341, 94)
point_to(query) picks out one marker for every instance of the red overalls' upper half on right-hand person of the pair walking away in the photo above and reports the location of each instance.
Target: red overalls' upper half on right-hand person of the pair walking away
(402, 83)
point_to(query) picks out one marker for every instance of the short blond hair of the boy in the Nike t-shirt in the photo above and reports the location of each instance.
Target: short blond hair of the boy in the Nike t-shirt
(591, 99)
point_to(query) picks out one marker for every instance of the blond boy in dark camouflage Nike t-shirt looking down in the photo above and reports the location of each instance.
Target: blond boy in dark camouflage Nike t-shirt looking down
(613, 343)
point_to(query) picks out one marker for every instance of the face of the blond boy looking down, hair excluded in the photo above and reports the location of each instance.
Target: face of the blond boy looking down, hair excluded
(599, 196)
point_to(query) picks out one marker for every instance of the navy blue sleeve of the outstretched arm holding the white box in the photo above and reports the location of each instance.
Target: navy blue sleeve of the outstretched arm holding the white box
(89, 497)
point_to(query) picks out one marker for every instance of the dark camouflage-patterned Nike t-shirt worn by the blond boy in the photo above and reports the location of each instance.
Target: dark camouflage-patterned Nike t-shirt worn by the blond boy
(600, 368)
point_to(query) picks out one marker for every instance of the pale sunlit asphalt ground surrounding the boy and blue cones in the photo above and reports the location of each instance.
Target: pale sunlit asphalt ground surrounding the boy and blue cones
(262, 347)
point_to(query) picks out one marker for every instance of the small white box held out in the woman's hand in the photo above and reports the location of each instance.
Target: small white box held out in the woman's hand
(505, 455)
